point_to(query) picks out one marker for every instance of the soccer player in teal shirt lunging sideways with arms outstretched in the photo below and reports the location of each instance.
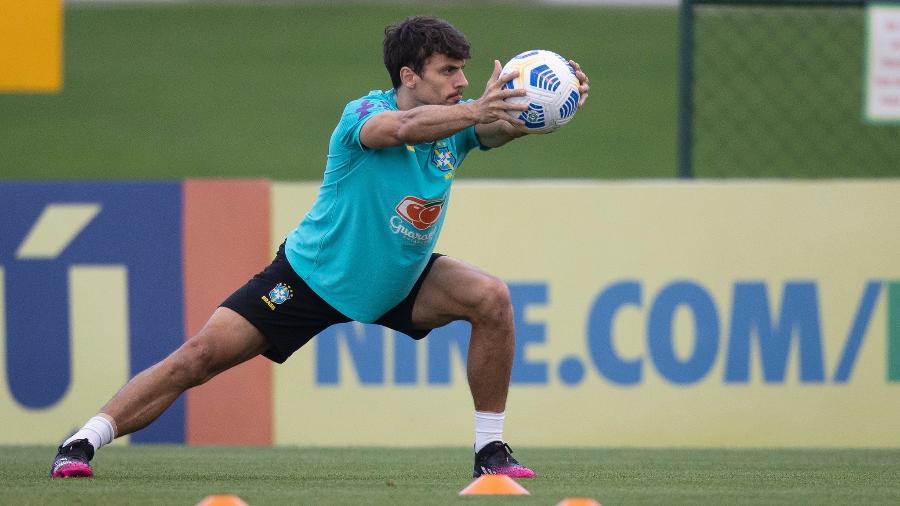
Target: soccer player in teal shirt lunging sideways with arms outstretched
(364, 251)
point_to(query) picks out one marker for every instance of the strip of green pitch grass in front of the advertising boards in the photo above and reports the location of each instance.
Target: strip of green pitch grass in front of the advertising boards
(180, 475)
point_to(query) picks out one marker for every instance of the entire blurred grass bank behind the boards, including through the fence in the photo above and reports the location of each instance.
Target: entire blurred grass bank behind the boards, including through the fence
(243, 90)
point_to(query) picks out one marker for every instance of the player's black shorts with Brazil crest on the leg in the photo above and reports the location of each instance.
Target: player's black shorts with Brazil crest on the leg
(288, 313)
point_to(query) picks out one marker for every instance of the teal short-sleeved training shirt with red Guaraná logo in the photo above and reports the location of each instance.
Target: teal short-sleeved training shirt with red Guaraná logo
(379, 212)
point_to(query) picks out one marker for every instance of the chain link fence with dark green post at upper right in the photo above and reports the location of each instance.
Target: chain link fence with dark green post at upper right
(776, 89)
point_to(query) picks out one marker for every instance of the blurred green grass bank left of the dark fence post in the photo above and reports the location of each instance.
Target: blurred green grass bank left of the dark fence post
(200, 90)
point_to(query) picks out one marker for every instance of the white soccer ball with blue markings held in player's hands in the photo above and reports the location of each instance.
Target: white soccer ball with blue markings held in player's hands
(551, 90)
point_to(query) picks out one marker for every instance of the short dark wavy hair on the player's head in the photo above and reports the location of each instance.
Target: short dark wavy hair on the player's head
(410, 43)
